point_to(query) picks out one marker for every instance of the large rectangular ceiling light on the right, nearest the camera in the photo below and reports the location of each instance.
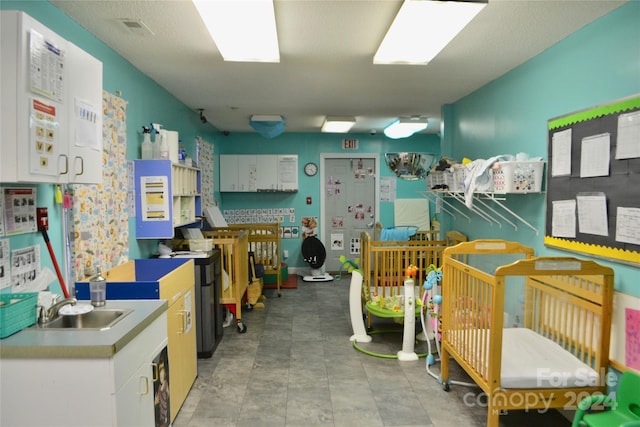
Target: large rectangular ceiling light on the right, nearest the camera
(423, 28)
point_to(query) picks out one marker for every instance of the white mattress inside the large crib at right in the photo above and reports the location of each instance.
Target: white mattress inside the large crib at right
(530, 360)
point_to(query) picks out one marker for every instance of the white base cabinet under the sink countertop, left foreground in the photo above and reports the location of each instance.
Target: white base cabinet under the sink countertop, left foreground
(102, 391)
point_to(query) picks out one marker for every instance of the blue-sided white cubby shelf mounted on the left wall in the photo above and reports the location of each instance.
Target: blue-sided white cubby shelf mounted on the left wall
(167, 196)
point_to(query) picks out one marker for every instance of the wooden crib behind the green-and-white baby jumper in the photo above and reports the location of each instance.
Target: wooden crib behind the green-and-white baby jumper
(384, 265)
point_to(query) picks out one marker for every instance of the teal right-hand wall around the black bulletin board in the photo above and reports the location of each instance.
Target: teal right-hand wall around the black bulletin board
(598, 64)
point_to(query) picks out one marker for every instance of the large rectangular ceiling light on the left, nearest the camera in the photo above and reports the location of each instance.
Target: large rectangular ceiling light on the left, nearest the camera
(244, 31)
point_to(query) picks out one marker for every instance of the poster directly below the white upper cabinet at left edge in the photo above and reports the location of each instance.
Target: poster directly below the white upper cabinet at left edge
(20, 210)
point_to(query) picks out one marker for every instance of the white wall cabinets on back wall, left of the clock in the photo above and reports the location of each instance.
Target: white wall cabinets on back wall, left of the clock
(258, 173)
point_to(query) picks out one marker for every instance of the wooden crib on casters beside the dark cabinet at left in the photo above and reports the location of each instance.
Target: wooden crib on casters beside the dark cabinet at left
(234, 256)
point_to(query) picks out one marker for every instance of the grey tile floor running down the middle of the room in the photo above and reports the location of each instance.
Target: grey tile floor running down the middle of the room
(295, 366)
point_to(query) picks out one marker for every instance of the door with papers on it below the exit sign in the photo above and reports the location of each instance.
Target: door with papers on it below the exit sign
(349, 204)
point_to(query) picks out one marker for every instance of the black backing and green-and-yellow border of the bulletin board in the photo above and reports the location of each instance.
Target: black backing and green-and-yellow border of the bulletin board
(621, 185)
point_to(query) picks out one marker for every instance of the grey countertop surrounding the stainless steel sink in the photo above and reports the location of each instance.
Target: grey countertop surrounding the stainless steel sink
(35, 342)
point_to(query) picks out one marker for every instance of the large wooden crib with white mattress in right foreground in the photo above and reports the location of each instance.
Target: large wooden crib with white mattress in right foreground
(559, 353)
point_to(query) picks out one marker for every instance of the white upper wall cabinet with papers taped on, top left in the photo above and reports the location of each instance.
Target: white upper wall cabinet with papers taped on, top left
(51, 106)
